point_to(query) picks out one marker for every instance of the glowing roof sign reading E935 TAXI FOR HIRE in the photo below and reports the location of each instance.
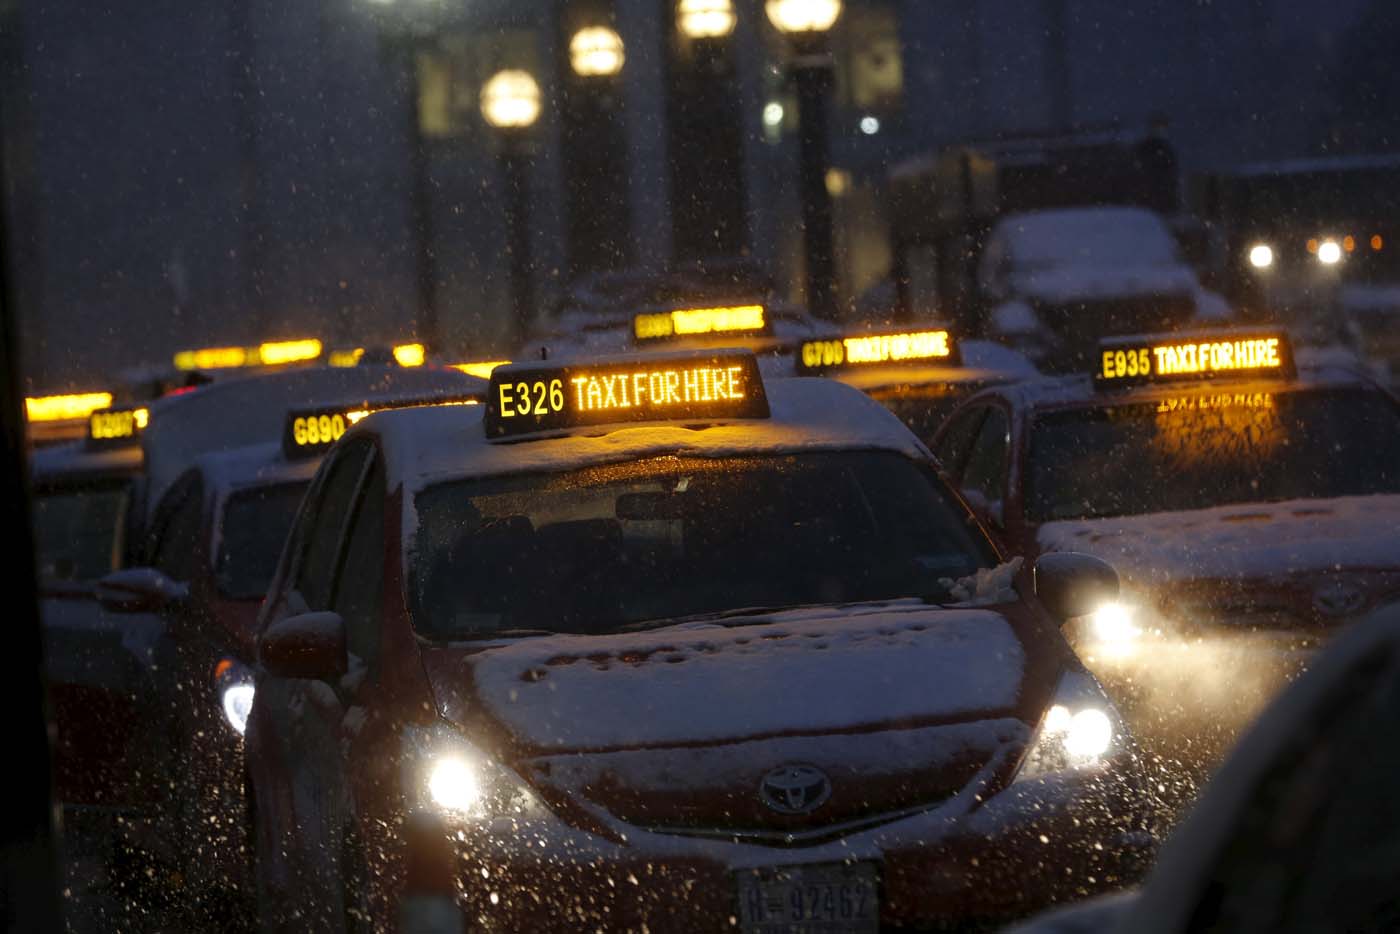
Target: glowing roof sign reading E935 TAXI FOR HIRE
(1129, 362)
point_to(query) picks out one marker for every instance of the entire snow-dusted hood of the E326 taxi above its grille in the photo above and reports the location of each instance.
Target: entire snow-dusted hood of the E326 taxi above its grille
(870, 711)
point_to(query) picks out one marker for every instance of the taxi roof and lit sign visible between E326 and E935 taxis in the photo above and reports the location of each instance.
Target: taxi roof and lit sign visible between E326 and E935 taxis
(919, 372)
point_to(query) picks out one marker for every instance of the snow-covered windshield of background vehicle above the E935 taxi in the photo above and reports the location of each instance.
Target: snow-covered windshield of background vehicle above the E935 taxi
(1088, 237)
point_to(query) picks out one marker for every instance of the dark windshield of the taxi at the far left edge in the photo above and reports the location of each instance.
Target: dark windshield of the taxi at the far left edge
(79, 531)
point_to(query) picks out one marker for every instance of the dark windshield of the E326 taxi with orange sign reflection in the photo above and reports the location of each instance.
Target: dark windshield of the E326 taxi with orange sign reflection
(608, 548)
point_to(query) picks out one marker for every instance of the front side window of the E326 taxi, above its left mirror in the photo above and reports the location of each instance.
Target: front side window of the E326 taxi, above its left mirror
(360, 582)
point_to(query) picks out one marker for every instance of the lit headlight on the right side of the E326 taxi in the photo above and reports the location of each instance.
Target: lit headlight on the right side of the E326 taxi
(1081, 730)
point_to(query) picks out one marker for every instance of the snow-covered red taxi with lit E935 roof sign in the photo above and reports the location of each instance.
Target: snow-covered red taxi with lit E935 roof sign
(1249, 498)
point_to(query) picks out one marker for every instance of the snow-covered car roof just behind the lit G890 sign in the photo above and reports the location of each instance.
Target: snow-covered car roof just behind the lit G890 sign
(253, 410)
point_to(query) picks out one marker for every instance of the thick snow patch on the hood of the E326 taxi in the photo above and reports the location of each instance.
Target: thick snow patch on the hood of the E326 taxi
(794, 673)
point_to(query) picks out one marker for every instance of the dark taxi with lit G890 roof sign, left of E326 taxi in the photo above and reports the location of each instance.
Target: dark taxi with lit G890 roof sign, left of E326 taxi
(211, 550)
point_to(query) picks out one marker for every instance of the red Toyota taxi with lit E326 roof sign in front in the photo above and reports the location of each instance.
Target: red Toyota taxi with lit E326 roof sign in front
(659, 645)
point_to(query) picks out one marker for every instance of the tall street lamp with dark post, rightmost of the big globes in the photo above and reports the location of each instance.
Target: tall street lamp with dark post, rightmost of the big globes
(807, 25)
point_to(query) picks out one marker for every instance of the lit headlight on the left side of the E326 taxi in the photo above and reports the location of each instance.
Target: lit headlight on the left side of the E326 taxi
(449, 775)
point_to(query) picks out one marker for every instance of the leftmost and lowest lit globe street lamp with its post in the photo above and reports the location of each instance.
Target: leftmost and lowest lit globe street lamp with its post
(512, 104)
